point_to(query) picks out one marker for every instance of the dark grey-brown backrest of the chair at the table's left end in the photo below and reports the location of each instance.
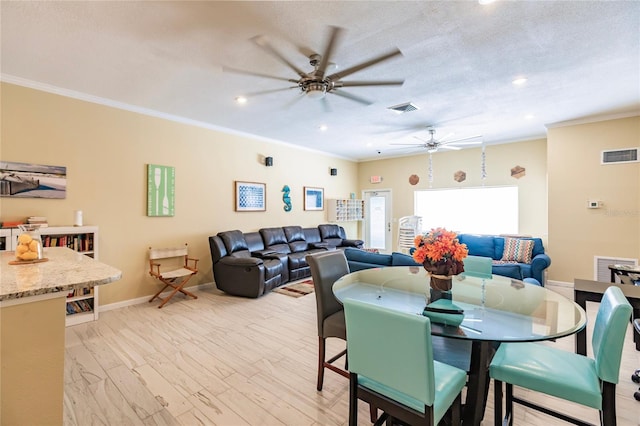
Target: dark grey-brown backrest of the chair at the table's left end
(326, 268)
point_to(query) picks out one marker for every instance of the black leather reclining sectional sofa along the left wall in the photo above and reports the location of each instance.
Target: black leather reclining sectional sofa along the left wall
(250, 264)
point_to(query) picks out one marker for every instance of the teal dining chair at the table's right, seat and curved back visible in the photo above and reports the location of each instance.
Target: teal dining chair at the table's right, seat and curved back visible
(587, 381)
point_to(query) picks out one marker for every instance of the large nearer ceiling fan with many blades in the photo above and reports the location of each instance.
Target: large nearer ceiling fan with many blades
(316, 83)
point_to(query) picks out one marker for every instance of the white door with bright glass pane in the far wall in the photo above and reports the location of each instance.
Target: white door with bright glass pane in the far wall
(377, 222)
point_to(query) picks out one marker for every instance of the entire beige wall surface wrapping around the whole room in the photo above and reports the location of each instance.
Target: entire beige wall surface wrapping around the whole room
(106, 151)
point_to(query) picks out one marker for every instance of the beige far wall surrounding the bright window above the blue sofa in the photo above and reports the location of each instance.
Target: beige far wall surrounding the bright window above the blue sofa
(499, 160)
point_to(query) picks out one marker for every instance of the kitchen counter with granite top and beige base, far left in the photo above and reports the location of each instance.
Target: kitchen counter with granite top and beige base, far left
(32, 331)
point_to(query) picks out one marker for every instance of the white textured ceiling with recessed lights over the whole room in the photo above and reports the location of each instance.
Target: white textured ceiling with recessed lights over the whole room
(581, 58)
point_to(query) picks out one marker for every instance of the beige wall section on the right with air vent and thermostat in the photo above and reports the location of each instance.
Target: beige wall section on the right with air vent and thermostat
(576, 233)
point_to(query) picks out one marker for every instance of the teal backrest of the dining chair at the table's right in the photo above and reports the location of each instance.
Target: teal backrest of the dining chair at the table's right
(609, 332)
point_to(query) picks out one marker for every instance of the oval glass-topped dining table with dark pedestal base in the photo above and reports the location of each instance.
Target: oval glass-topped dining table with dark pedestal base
(485, 311)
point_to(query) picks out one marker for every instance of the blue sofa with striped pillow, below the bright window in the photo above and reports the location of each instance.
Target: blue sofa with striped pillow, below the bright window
(493, 247)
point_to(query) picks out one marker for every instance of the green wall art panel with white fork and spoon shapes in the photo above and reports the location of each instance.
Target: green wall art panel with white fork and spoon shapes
(160, 190)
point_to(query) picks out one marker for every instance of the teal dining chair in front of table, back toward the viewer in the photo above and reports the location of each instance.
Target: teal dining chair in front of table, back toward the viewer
(392, 368)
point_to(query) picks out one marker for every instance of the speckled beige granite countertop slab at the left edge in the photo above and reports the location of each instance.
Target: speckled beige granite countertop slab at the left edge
(65, 270)
